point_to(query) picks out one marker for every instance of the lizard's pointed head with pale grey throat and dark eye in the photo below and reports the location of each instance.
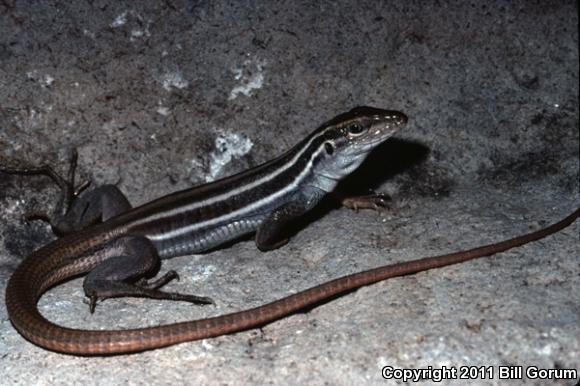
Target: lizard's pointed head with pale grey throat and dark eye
(345, 141)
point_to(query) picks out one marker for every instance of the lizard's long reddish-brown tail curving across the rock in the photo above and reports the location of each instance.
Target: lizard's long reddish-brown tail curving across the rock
(21, 302)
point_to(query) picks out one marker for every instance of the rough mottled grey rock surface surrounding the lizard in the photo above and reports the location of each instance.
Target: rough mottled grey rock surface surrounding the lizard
(160, 95)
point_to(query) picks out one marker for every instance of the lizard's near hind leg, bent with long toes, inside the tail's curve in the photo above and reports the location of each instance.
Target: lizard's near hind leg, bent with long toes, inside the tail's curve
(126, 262)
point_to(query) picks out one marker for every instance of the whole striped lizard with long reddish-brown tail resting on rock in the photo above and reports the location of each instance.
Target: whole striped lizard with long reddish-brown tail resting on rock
(118, 246)
